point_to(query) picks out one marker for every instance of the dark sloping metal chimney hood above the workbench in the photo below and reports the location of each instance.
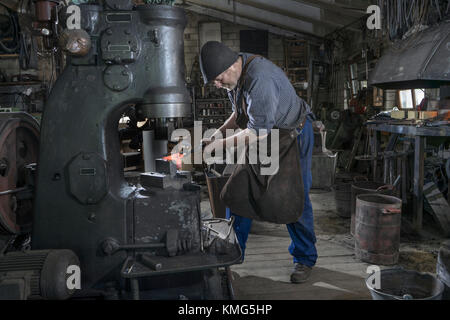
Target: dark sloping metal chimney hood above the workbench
(420, 61)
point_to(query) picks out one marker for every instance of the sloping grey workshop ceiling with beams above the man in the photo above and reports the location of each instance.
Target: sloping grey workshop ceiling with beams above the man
(284, 17)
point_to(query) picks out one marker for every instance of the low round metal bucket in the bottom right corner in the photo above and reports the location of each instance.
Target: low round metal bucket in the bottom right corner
(400, 284)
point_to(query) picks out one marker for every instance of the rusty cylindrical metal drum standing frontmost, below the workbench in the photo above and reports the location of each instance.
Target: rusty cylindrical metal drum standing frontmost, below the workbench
(377, 232)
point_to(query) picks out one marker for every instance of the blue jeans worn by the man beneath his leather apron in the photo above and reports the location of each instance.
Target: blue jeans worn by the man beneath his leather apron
(302, 247)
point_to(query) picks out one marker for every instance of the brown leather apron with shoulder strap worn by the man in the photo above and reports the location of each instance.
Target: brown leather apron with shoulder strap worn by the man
(277, 198)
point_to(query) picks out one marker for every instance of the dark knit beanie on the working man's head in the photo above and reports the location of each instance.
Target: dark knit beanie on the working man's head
(215, 58)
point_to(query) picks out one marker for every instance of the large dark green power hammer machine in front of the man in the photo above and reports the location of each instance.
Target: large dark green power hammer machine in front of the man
(142, 240)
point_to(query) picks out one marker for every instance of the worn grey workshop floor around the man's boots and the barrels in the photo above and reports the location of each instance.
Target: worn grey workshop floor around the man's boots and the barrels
(338, 274)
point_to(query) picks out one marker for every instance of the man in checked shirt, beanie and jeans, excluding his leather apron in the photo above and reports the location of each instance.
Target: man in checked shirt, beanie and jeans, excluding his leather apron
(270, 102)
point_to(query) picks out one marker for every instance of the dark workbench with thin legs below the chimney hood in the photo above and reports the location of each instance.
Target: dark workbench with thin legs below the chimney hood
(420, 133)
